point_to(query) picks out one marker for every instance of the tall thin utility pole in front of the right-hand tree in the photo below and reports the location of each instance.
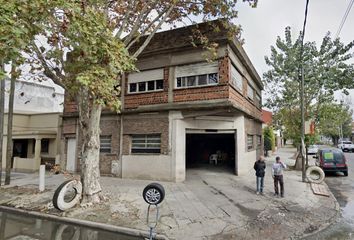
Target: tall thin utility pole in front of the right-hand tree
(302, 88)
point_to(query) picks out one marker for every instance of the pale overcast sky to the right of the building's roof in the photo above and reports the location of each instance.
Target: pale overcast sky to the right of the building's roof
(263, 24)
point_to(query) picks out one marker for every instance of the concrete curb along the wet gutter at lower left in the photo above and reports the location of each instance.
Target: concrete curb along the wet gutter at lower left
(84, 223)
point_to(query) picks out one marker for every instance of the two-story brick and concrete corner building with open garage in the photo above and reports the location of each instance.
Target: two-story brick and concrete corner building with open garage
(178, 111)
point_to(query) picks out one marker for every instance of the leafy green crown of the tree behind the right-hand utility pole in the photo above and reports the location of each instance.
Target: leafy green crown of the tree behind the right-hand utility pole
(326, 69)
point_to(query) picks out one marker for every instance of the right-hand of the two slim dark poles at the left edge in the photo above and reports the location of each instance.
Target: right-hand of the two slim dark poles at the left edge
(9, 151)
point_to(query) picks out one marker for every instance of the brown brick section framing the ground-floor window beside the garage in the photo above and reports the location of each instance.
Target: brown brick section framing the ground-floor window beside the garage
(146, 124)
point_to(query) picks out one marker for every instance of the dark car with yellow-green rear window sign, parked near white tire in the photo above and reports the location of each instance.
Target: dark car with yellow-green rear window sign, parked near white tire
(332, 160)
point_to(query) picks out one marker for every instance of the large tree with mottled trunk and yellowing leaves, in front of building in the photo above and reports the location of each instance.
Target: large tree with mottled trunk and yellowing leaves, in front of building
(86, 47)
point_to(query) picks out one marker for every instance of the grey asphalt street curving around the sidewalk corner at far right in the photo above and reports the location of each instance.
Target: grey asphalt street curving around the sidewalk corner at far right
(343, 189)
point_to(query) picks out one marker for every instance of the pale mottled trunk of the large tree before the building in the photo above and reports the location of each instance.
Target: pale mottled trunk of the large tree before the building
(89, 117)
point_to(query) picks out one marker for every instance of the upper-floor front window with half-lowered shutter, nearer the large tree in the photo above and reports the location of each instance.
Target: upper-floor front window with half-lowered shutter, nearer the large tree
(146, 81)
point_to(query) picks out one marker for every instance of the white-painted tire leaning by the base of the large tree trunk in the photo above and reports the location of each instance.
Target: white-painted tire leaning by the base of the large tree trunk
(59, 201)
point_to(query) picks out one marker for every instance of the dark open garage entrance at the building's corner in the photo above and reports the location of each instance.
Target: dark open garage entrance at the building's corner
(210, 150)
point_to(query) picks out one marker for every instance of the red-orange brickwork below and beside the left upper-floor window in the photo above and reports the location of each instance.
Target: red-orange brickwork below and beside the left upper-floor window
(138, 99)
